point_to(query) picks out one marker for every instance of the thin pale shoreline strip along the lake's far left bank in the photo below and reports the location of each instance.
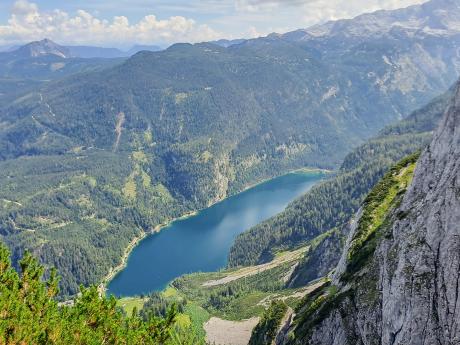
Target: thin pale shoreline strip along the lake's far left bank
(136, 240)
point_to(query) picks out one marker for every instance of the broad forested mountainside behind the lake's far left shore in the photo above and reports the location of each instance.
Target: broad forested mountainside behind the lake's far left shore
(111, 154)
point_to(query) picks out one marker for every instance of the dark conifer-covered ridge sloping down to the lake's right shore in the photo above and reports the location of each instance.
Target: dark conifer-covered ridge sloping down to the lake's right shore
(330, 205)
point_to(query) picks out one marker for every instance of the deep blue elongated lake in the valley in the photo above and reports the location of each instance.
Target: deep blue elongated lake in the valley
(202, 242)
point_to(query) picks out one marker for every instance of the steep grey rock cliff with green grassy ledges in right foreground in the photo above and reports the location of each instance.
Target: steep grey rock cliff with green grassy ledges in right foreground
(399, 284)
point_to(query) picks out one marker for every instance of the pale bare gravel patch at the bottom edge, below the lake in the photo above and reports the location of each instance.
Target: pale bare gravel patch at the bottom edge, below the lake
(224, 332)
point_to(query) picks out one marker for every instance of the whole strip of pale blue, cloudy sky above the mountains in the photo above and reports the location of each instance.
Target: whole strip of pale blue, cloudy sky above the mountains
(124, 22)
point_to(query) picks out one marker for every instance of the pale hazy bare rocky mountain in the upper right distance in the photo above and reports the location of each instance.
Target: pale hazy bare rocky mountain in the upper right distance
(393, 48)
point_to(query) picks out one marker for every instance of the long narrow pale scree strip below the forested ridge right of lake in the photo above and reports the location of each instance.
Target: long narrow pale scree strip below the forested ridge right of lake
(253, 270)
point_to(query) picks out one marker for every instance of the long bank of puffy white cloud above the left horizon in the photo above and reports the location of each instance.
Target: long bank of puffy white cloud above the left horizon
(27, 23)
